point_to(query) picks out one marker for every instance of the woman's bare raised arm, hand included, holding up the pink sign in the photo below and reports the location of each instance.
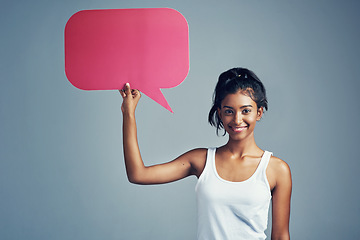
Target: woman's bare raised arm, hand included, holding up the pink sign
(183, 166)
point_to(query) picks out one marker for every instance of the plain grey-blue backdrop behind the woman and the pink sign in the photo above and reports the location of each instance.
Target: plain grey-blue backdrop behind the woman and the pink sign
(61, 168)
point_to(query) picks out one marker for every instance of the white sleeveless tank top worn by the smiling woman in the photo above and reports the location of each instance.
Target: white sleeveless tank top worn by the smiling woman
(232, 210)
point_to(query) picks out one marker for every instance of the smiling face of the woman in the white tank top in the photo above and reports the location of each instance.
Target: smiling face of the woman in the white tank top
(239, 114)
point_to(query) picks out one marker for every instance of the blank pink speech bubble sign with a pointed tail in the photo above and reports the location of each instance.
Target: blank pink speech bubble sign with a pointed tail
(148, 48)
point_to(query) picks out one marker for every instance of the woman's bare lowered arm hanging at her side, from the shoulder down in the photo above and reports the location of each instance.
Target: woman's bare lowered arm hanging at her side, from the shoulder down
(281, 195)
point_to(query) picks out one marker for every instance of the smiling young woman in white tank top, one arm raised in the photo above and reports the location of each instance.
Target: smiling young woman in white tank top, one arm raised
(236, 181)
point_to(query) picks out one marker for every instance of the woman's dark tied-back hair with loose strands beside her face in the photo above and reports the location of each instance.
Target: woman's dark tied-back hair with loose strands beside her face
(230, 82)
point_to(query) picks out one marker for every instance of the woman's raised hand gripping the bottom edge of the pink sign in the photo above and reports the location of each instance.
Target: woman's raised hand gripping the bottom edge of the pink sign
(131, 98)
